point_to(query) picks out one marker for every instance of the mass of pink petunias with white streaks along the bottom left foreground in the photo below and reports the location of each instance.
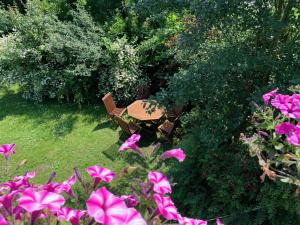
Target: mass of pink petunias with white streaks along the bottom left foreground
(22, 202)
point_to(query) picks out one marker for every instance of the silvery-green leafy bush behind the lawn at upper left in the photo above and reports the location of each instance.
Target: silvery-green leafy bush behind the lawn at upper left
(66, 60)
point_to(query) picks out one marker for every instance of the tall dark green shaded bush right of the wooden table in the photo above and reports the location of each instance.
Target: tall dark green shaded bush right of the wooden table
(231, 53)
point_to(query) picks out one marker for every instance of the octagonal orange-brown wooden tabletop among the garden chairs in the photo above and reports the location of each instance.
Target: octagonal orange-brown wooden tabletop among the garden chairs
(145, 110)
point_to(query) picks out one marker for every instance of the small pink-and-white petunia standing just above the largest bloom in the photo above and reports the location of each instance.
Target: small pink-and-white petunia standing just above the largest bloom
(100, 173)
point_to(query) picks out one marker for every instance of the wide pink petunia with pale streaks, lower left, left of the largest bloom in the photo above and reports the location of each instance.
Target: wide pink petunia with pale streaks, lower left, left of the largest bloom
(33, 201)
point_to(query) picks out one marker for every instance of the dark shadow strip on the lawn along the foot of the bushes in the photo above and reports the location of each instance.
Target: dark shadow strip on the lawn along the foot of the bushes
(62, 115)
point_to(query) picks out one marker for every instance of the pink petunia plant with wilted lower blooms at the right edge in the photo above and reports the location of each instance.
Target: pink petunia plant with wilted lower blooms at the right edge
(275, 137)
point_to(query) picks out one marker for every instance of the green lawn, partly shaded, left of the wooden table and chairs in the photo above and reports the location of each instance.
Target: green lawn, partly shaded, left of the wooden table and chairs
(57, 137)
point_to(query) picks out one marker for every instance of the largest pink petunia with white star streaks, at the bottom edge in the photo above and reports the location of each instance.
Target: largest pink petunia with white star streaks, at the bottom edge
(106, 208)
